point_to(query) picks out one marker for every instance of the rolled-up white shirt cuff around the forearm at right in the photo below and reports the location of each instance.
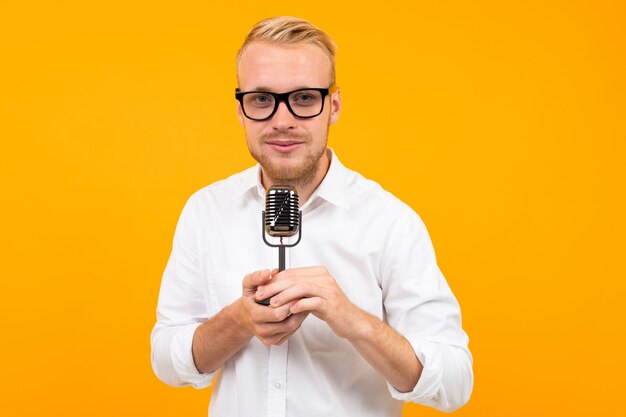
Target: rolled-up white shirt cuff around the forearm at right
(427, 388)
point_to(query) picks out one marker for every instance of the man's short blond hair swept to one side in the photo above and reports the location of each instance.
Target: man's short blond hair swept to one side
(289, 30)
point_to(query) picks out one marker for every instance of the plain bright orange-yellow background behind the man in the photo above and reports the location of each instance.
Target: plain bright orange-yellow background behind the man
(501, 123)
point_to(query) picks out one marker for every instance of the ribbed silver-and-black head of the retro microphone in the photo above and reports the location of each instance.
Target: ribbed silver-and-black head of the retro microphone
(282, 211)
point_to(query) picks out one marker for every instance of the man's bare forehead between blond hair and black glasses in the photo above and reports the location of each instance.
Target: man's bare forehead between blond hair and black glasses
(282, 68)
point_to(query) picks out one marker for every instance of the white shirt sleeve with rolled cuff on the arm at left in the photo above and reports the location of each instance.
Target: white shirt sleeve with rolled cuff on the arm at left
(181, 309)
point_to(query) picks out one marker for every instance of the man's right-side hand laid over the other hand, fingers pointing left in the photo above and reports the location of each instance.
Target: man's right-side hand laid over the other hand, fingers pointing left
(313, 289)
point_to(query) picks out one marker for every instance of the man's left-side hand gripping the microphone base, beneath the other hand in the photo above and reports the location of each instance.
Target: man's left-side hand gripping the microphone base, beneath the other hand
(271, 325)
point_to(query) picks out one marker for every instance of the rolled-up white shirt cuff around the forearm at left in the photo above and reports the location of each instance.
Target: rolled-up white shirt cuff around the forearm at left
(182, 358)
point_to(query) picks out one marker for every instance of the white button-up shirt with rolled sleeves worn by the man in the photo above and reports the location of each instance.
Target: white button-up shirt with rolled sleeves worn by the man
(379, 252)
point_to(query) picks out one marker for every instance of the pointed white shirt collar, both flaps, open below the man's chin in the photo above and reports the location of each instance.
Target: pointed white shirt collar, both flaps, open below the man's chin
(333, 188)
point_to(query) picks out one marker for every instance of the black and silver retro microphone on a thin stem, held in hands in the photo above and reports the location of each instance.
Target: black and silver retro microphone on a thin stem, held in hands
(282, 218)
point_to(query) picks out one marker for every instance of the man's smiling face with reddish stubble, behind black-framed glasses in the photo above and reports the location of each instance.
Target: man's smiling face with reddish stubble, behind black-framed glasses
(287, 147)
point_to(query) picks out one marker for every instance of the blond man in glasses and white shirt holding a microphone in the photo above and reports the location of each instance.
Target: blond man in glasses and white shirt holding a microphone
(360, 321)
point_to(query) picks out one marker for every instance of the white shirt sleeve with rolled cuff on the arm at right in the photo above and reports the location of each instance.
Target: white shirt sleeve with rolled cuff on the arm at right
(420, 305)
